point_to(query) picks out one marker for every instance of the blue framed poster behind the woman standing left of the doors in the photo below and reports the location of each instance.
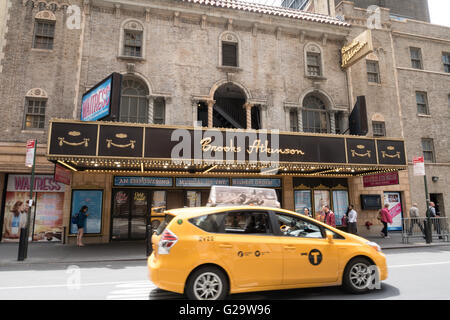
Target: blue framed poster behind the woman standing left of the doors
(93, 199)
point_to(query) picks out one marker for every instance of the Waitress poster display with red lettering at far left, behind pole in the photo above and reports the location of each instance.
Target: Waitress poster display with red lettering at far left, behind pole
(46, 216)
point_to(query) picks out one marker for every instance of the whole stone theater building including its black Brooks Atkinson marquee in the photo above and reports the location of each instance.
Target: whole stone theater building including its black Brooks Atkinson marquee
(212, 93)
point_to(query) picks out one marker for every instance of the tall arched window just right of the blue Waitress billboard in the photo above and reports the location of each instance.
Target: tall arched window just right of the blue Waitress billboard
(134, 102)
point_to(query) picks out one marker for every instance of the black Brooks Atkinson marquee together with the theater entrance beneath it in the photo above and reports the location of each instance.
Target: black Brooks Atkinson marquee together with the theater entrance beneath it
(127, 172)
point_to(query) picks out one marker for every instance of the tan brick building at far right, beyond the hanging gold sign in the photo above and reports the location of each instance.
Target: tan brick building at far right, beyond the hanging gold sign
(416, 87)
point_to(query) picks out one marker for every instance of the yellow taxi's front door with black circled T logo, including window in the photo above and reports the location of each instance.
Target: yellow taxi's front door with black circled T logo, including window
(307, 255)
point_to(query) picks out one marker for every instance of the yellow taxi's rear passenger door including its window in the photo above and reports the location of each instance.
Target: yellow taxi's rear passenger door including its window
(249, 249)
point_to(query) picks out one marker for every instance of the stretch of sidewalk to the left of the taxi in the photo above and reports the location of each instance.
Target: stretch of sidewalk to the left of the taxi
(63, 253)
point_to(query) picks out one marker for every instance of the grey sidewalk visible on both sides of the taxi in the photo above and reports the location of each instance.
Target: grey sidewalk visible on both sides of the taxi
(42, 253)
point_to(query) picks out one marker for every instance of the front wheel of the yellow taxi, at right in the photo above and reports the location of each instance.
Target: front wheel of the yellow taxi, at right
(358, 276)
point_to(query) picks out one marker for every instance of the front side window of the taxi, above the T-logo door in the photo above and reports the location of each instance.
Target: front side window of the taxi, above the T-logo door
(293, 226)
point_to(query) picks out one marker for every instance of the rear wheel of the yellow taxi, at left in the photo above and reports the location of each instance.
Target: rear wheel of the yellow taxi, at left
(207, 283)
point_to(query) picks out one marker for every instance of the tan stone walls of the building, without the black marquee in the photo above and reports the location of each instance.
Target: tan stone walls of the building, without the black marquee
(177, 72)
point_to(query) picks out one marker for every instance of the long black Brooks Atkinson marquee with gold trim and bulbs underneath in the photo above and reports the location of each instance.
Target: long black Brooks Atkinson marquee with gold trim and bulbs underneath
(114, 146)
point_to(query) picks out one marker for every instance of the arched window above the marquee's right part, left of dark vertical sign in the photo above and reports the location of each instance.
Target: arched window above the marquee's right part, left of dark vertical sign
(315, 116)
